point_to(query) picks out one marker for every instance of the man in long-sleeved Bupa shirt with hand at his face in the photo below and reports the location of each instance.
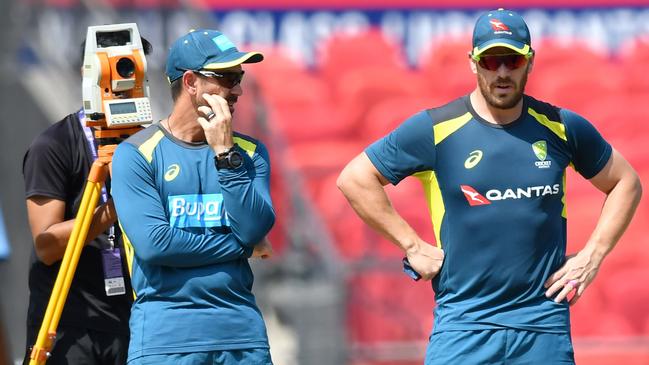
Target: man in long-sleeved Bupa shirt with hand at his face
(194, 202)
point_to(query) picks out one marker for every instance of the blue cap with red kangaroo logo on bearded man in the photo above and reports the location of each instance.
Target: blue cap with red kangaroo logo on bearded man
(501, 28)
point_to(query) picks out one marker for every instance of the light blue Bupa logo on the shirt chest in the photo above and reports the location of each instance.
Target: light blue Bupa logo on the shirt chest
(197, 210)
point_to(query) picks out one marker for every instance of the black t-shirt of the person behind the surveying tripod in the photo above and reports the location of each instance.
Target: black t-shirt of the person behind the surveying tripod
(56, 165)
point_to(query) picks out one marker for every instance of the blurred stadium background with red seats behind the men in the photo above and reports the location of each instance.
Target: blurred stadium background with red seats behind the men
(337, 76)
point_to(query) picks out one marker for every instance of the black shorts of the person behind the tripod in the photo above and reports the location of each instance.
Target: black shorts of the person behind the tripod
(82, 346)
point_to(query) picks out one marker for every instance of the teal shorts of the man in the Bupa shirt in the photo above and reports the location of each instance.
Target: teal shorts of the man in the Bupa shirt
(229, 357)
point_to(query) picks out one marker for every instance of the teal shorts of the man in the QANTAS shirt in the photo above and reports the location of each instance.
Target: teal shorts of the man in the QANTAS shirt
(499, 347)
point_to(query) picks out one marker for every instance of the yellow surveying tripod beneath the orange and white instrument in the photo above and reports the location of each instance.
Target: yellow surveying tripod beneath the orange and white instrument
(96, 178)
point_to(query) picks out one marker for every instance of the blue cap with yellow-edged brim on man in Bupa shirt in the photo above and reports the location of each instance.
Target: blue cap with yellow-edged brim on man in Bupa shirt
(205, 49)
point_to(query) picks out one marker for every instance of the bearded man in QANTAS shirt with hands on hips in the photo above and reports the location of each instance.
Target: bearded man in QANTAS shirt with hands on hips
(492, 164)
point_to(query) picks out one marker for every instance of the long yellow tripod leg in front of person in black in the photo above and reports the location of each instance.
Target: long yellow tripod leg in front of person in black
(47, 332)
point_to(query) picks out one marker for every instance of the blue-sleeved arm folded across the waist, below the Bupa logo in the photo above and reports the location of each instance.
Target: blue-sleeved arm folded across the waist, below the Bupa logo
(143, 218)
